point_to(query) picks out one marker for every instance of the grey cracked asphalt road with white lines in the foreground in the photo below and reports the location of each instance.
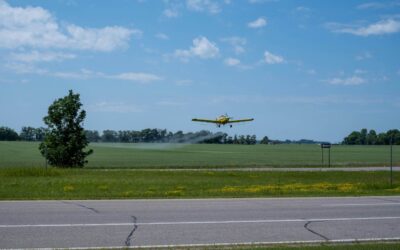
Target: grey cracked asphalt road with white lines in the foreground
(113, 223)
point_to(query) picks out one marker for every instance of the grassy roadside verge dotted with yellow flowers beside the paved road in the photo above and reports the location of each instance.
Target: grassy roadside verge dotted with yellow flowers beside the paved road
(36, 183)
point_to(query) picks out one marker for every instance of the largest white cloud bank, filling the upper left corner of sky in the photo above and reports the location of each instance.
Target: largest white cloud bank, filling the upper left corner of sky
(37, 28)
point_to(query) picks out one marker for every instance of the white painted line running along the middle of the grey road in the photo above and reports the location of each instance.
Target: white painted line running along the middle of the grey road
(198, 222)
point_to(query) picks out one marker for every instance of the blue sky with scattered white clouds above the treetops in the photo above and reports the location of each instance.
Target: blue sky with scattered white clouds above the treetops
(302, 69)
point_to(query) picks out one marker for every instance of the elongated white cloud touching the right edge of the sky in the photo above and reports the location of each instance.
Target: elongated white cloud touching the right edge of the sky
(382, 27)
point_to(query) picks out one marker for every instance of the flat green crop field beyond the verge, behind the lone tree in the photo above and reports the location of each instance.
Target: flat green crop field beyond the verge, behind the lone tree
(119, 155)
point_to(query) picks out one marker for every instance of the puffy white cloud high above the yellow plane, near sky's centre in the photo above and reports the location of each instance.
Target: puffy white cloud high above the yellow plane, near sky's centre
(202, 48)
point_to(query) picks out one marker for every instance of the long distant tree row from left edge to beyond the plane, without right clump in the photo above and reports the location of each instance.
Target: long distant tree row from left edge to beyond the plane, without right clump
(136, 136)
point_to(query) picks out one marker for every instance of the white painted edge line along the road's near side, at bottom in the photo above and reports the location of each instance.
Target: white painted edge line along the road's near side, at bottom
(237, 244)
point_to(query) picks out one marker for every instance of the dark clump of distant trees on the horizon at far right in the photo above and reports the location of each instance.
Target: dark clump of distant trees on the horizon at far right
(365, 137)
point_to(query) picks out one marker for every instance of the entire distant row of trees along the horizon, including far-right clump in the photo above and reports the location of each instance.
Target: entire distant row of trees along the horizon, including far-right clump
(363, 137)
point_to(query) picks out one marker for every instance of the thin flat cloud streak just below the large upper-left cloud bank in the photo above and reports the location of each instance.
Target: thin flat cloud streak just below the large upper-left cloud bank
(36, 56)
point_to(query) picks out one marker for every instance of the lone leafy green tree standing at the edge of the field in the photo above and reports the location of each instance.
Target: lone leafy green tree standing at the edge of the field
(65, 140)
